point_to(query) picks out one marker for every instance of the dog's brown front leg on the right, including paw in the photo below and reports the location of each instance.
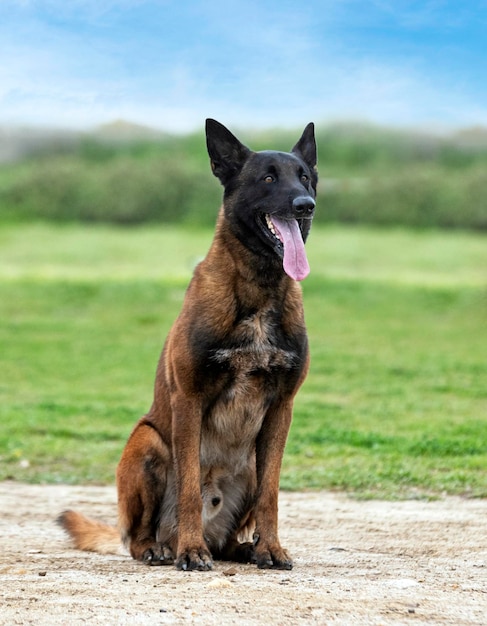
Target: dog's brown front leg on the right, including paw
(268, 552)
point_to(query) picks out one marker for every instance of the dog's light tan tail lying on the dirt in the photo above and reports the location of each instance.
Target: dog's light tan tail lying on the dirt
(91, 535)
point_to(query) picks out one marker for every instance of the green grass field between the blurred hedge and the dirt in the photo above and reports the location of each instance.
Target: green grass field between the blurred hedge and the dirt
(396, 401)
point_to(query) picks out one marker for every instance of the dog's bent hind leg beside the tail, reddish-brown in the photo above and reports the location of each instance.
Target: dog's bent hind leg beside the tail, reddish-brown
(142, 477)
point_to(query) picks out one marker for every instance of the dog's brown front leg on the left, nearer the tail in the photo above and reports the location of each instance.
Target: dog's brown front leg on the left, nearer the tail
(192, 551)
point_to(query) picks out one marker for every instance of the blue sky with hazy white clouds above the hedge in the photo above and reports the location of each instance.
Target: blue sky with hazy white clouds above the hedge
(80, 63)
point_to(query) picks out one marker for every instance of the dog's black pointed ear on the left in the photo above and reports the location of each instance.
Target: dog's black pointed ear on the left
(227, 153)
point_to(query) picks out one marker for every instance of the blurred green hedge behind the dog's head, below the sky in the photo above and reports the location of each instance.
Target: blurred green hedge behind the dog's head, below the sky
(367, 175)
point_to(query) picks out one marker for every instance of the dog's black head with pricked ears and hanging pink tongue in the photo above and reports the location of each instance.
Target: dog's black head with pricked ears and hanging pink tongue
(269, 198)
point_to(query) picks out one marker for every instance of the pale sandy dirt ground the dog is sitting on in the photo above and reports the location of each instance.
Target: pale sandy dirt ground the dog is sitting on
(354, 563)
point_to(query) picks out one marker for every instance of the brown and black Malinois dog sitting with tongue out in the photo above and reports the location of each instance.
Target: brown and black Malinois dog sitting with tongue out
(198, 479)
